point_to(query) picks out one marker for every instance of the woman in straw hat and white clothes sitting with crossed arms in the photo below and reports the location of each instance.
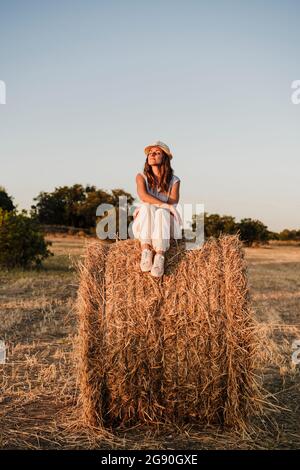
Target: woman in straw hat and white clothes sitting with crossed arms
(157, 219)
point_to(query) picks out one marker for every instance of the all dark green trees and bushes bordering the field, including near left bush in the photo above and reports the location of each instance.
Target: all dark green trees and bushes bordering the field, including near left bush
(75, 206)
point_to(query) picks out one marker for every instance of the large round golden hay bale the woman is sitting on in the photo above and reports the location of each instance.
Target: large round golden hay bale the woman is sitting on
(170, 350)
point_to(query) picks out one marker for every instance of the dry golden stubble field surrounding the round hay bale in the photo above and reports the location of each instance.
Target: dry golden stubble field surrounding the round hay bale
(38, 382)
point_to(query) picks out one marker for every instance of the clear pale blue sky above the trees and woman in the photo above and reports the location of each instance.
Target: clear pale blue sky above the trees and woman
(91, 83)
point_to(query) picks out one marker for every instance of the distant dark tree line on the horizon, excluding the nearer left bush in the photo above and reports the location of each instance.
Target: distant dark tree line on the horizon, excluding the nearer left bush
(75, 206)
